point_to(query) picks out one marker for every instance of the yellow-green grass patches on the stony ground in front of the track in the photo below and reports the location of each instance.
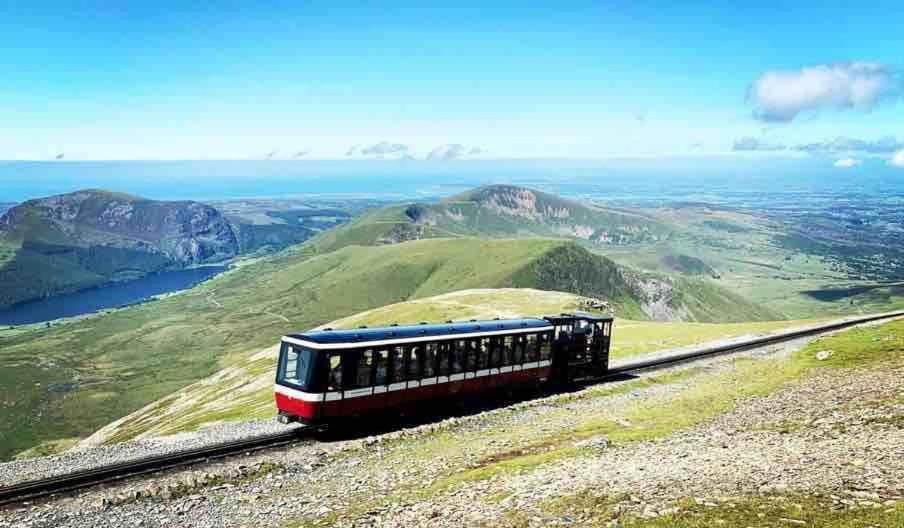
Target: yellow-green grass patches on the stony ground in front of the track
(695, 397)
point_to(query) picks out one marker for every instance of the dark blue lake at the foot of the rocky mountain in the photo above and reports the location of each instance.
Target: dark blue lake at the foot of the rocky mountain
(113, 296)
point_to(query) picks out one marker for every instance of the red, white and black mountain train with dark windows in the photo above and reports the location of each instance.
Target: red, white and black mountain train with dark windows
(326, 376)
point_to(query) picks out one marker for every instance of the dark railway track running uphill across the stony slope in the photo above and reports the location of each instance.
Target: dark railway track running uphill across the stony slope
(34, 489)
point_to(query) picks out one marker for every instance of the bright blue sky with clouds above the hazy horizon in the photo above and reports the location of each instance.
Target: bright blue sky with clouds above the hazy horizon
(323, 80)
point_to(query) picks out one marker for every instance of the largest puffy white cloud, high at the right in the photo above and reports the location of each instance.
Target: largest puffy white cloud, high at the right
(783, 95)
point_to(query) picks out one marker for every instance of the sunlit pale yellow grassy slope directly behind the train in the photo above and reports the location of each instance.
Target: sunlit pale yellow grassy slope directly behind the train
(244, 390)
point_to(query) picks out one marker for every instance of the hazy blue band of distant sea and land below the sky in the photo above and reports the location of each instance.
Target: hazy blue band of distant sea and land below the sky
(611, 180)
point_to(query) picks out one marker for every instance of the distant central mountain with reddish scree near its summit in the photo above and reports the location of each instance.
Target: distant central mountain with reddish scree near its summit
(498, 211)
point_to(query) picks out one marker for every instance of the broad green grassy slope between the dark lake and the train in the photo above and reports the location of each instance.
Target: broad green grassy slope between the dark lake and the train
(67, 380)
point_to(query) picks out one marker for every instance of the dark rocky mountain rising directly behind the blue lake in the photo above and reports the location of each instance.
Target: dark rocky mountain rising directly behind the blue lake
(88, 238)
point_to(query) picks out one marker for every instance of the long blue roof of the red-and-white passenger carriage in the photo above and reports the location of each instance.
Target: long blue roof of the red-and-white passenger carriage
(363, 335)
